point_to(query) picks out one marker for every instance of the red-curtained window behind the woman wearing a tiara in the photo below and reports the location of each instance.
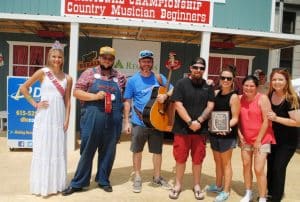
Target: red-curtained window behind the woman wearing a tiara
(27, 57)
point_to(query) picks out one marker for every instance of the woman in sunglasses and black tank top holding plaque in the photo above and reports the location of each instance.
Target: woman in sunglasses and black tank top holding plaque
(222, 143)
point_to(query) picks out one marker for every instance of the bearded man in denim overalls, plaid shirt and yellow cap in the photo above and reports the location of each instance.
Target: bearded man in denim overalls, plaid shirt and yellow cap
(100, 91)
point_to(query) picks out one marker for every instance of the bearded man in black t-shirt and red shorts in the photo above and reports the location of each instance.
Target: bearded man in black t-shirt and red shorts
(194, 101)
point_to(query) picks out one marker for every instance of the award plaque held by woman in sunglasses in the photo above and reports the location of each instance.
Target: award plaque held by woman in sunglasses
(220, 121)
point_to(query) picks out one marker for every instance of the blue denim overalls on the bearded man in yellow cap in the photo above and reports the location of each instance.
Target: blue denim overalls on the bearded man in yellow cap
(99, 130)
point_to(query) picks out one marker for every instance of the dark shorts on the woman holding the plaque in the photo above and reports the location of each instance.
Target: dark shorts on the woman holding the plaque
(222, 144)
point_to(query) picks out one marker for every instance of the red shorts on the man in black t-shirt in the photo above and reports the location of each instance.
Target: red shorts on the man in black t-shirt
(183, 143)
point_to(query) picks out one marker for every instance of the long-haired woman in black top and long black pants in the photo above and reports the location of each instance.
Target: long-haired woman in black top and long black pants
(285, 117)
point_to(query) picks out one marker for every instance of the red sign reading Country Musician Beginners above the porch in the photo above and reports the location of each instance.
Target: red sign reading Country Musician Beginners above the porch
(183, 11)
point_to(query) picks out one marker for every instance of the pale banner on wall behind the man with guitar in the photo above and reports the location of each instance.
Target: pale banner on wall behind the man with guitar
(127, 58)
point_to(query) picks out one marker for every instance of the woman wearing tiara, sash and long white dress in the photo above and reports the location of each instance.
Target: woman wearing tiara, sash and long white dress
(49, 163)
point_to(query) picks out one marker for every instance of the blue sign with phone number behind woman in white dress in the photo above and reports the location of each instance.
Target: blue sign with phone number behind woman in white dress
(20, 114)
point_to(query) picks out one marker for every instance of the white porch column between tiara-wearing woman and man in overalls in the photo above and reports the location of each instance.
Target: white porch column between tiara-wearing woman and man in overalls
(73, 58)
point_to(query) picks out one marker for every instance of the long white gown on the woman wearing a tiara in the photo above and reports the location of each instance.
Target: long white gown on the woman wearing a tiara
(49, 160)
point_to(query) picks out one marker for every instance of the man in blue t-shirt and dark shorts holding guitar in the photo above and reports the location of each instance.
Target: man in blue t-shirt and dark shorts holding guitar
(138, 92)
